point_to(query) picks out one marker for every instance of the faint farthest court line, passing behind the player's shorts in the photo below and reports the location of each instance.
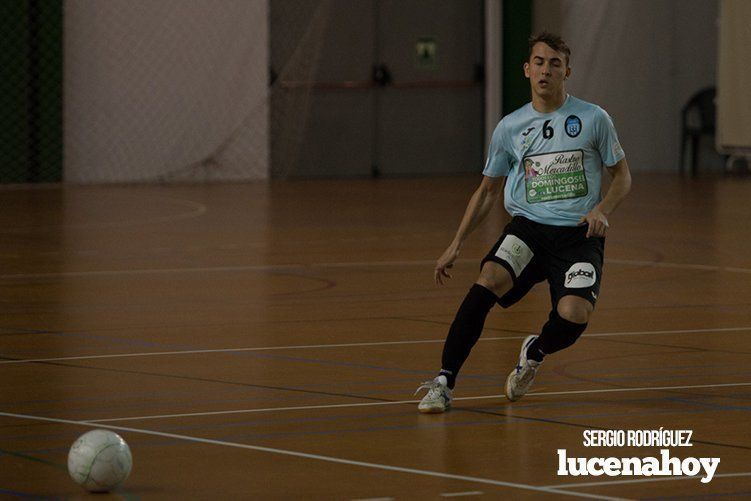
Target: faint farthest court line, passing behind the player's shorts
(361, 264)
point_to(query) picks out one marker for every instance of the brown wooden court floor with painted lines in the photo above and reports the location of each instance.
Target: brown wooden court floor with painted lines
(263, 341)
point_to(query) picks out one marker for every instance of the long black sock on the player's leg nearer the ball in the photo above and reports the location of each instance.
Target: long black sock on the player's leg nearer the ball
(465, 330)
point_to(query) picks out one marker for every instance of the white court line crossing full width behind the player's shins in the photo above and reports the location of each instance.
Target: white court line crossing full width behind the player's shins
(345, 345)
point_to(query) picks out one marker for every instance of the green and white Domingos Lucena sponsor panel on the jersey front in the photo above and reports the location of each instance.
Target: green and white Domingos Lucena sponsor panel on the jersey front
(555, 176)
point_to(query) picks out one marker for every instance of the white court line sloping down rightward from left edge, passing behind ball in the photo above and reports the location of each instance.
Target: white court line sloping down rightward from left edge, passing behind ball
(377, 466)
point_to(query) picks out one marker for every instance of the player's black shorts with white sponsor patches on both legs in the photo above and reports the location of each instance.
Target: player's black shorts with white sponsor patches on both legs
(562, 255)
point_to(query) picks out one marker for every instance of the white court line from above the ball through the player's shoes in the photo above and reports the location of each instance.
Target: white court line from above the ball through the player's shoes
(400, 402)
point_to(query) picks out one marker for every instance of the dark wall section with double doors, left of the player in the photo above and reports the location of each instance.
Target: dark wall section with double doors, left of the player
(423, 116)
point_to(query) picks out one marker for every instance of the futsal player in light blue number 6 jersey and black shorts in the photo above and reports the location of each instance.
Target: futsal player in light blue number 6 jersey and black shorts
(550, 154)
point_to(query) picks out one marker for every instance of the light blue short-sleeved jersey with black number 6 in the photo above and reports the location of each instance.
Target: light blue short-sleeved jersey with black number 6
(553, 161)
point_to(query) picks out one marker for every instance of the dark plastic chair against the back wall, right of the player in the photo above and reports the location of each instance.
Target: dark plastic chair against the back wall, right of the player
(697, 119)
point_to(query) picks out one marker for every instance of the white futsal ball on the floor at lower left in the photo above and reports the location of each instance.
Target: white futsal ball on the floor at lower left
(99, 460)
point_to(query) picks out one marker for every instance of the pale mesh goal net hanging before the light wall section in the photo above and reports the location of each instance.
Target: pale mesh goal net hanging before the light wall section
(186, 90)
